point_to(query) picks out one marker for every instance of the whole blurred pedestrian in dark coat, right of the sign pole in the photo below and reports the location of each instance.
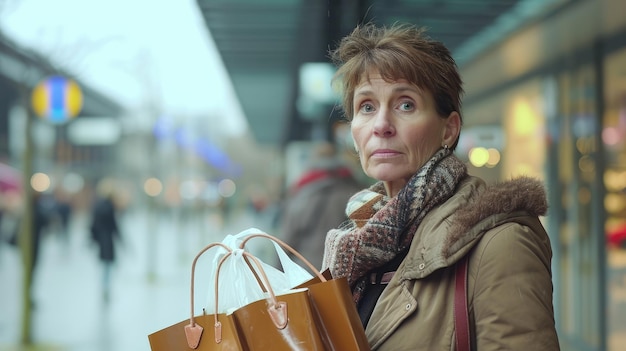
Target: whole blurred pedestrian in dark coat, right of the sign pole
(105, 232)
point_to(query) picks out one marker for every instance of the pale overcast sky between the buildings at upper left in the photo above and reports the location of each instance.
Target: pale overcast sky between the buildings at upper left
(131, 50)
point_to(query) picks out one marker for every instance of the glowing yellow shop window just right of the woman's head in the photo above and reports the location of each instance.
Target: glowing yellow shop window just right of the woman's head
(505, 137)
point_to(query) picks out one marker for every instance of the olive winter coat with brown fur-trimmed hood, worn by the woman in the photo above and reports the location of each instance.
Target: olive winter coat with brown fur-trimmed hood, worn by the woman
(509, 284)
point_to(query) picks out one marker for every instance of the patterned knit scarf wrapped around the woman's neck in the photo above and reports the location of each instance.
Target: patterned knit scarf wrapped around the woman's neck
(380, 227)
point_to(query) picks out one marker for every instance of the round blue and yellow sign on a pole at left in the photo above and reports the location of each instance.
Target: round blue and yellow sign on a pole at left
(57, 99)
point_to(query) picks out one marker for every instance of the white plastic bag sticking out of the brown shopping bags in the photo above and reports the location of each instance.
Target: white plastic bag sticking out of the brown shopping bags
(238, 285)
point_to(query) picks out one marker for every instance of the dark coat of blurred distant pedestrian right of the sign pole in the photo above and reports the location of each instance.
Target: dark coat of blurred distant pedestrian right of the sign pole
(104, 228)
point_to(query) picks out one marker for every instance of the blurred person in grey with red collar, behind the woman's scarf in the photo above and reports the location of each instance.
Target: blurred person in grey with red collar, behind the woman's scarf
(315, 202)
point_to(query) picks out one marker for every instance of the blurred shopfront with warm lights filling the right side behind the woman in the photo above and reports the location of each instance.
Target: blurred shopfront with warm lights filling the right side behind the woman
(553, 105)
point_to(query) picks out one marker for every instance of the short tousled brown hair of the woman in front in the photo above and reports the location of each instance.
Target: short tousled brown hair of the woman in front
(400, 51)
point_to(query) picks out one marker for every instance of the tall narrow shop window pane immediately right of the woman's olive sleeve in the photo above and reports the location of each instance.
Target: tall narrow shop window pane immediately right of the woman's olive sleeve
(579, 166)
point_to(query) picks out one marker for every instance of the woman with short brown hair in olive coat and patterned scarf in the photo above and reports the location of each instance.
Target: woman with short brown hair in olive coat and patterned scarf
(406, 233)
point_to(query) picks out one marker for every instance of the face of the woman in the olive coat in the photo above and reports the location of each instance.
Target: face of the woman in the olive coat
(396, 129)
